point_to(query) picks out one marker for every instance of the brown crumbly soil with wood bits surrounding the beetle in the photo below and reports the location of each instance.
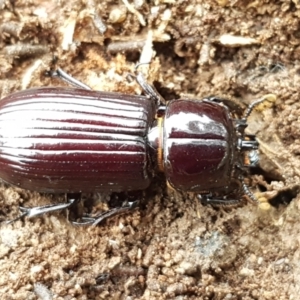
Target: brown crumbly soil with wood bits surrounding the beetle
(171, 248)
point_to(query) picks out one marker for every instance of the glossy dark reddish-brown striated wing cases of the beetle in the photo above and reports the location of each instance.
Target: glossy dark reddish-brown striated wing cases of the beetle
(70, 140)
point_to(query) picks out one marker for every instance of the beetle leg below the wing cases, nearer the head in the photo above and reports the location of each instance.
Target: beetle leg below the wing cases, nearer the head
(94, 221)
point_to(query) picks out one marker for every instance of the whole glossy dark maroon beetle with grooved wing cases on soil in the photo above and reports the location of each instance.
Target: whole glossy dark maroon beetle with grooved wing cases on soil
(74, 140)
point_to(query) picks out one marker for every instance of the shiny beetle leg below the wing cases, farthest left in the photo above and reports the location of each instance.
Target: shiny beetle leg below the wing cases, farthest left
(31, 212)
